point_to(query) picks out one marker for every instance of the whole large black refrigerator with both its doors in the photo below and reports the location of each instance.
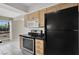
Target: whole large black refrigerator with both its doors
(61, 32)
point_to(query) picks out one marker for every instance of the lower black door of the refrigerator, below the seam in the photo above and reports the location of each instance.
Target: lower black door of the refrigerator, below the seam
(62, 42)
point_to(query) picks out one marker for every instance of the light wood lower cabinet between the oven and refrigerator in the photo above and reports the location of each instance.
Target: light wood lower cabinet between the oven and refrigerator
(39, 47)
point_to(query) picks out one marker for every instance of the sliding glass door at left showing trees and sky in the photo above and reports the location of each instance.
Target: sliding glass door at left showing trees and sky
(4, 30)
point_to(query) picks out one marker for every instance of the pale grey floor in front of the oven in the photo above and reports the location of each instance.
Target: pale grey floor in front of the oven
(11, 48)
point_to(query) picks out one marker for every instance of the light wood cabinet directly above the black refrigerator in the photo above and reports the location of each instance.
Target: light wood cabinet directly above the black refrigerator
(60, 7)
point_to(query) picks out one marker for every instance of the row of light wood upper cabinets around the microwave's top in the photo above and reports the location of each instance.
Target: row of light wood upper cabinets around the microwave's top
(39, 15)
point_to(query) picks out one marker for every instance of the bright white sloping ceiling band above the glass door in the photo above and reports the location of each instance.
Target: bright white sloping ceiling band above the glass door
(8, 11)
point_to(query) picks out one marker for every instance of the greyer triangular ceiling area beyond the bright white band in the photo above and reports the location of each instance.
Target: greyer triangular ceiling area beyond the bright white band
(28, 7)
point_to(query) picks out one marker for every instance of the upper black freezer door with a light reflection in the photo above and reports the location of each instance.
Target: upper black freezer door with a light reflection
(63, 20)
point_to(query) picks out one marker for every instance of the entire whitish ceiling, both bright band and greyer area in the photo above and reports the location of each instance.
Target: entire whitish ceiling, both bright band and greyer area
(14, 10)
